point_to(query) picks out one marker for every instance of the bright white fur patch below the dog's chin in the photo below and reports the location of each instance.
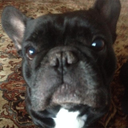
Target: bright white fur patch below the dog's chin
(66, 119)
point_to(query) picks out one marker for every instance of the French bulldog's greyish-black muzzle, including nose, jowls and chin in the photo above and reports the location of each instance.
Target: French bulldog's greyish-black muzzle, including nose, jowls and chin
(67, 78)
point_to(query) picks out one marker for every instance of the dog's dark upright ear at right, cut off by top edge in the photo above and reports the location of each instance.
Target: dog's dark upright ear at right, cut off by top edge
(109, 10)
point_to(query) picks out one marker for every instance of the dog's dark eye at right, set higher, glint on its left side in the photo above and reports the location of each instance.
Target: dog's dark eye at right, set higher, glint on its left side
(98, 44)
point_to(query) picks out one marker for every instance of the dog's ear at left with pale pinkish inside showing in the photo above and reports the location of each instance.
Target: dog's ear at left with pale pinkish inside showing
(13, 23)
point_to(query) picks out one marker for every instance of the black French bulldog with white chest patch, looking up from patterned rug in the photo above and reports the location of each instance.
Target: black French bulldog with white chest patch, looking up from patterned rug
(68, 62)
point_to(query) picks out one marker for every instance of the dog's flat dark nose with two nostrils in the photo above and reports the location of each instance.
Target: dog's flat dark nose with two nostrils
(63, 59)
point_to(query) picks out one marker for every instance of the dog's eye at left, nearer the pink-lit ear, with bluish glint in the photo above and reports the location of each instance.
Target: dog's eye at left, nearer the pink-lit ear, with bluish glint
(30, 52)
